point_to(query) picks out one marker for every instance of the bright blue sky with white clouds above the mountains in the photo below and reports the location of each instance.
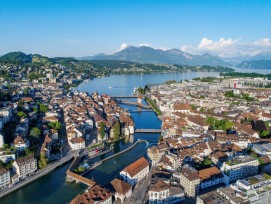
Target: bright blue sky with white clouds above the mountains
(87, 27)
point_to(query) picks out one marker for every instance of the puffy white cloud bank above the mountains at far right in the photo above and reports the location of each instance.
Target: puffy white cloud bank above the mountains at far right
(229, 47)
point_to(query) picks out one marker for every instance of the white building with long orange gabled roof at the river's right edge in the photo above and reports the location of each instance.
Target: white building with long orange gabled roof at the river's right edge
(135, 171)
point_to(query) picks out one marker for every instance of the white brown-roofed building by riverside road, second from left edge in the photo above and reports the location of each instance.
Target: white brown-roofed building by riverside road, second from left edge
(25, 166)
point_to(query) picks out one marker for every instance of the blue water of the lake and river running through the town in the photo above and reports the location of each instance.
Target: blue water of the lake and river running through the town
(53, 187)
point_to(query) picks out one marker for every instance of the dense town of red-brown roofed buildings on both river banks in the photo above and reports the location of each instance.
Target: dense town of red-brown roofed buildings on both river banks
(214, 146)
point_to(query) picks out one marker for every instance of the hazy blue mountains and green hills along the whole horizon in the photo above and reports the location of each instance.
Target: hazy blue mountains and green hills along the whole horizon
(144, 54)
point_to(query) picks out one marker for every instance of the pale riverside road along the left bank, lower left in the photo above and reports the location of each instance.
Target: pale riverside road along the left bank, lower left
(39, 173)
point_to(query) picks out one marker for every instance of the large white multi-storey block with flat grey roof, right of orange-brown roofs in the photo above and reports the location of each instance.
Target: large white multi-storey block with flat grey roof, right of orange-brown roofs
(238, 168)
